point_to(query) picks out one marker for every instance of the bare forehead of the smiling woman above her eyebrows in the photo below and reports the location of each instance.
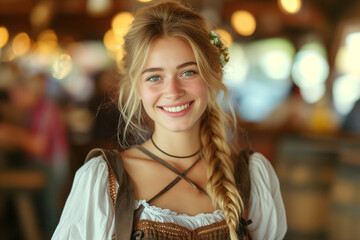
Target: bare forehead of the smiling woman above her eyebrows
(166, 51)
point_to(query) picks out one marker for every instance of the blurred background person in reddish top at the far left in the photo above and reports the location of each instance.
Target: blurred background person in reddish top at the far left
(34, 127)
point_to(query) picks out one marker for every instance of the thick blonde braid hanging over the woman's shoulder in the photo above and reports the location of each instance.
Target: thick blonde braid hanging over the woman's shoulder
(221, 181)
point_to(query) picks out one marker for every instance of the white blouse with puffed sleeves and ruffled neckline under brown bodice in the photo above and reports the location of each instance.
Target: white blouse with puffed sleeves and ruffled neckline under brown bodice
(89, 213)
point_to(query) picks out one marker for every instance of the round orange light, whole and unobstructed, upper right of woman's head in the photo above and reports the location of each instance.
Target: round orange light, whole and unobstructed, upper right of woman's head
(243, 22)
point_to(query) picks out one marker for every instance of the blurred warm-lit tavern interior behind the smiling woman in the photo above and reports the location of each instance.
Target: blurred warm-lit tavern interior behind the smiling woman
(293, 75)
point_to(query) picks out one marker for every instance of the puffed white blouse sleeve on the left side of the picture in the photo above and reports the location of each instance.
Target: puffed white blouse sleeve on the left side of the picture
(88, 211)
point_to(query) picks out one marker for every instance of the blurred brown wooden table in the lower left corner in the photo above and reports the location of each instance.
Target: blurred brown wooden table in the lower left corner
(21, 185)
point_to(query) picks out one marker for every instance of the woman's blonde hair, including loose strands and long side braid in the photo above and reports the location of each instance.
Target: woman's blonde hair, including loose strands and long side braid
(173, 19)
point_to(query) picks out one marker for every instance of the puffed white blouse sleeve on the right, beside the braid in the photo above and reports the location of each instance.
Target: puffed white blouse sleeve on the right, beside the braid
(267, 210)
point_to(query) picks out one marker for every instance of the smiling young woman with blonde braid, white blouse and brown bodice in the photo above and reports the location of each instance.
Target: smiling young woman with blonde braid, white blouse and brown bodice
(172, 81)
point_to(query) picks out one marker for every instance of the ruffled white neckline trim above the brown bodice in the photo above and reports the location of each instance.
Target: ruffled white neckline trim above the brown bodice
(157, 214)
